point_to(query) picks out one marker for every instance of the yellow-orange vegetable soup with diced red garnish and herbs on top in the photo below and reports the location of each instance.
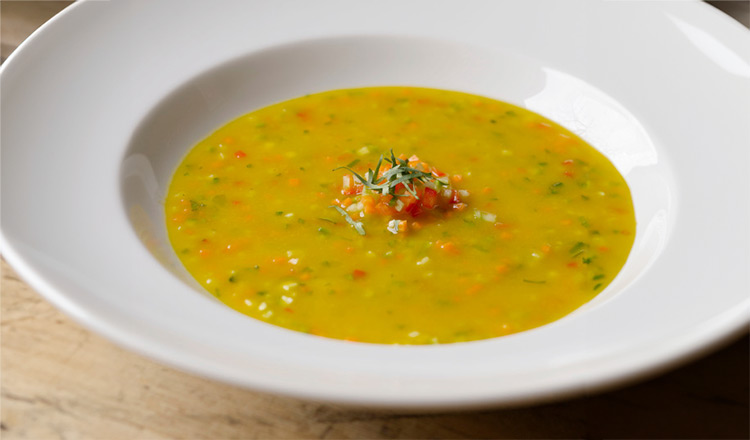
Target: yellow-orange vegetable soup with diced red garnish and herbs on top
(399, 215)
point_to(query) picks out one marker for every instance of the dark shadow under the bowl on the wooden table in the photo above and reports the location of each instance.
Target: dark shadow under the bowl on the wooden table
(706, 399)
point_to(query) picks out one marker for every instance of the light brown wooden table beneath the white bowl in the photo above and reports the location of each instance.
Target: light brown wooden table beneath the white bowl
(61, 381)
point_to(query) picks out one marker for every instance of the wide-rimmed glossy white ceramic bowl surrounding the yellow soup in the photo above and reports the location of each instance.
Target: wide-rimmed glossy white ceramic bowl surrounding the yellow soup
(102, 102)
